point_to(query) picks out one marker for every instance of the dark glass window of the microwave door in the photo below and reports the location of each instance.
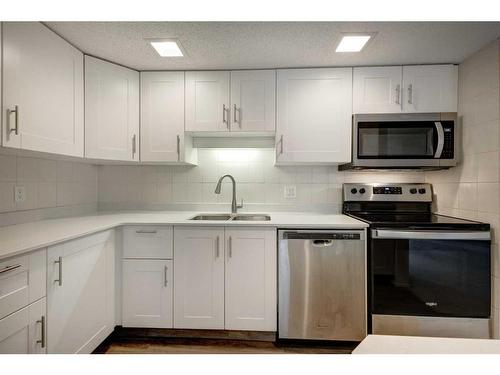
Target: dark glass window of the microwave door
(395, 140)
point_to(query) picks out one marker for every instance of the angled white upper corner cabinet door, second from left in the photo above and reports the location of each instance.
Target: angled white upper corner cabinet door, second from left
(111, 111)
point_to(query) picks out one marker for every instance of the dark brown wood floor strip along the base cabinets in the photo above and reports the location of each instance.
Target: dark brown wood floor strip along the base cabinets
(212, 346)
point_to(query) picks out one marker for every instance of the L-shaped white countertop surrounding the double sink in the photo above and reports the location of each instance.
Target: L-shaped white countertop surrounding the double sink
(17, 239)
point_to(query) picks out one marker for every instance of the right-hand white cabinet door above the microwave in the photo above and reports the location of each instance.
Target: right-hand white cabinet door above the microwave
(430, 88)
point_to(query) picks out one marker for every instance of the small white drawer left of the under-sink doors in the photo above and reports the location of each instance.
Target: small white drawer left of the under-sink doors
(152, 242)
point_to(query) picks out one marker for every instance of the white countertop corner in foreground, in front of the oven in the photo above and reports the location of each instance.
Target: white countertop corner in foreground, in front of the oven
(382, 344)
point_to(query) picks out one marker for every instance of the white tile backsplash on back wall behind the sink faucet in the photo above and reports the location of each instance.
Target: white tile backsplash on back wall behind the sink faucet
(260, 184)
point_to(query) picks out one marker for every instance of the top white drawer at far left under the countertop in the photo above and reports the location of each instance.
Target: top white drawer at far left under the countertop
(22, 281)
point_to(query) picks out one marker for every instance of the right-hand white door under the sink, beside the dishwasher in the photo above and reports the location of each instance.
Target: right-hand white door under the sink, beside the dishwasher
(251, 280)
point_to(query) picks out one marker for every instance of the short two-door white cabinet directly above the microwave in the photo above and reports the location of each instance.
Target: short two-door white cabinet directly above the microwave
(408, 89)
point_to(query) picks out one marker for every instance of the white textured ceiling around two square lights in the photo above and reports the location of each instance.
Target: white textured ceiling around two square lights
(253, 45)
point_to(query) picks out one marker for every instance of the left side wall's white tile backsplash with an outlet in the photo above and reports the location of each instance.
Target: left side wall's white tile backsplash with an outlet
(53, 188)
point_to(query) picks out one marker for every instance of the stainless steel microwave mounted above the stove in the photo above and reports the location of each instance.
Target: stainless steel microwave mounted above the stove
(404, 141)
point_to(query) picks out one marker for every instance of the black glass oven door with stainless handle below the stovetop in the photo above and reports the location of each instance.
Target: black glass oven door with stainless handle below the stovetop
(430, 273)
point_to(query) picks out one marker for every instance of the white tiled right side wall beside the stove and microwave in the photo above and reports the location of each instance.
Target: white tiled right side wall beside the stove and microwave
(472, 190)
